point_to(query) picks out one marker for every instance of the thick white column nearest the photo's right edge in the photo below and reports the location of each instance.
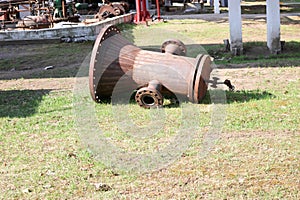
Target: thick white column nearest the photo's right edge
(273, 26)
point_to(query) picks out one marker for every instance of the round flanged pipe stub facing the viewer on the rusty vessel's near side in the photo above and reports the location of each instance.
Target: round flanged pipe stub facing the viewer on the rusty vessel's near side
(150, 97)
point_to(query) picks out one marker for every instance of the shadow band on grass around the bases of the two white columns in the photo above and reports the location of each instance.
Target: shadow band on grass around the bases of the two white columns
(256, 54)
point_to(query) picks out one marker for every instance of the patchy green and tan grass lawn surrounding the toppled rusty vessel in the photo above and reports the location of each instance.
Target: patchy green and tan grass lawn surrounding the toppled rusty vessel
(256, 156)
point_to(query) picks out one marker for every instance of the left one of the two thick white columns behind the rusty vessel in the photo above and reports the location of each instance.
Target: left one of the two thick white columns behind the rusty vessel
(235, 23)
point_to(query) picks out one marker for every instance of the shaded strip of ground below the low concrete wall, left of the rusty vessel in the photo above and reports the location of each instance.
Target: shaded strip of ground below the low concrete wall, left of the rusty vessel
(23, 58)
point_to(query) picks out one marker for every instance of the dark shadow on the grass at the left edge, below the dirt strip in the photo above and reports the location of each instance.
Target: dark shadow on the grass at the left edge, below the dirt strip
(20, 103)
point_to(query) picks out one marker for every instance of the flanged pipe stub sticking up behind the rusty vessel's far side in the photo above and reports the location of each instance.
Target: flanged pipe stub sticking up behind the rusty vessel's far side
(173, 46)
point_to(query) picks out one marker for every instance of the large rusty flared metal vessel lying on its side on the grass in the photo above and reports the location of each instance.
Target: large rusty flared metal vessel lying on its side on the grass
(116, 65)
